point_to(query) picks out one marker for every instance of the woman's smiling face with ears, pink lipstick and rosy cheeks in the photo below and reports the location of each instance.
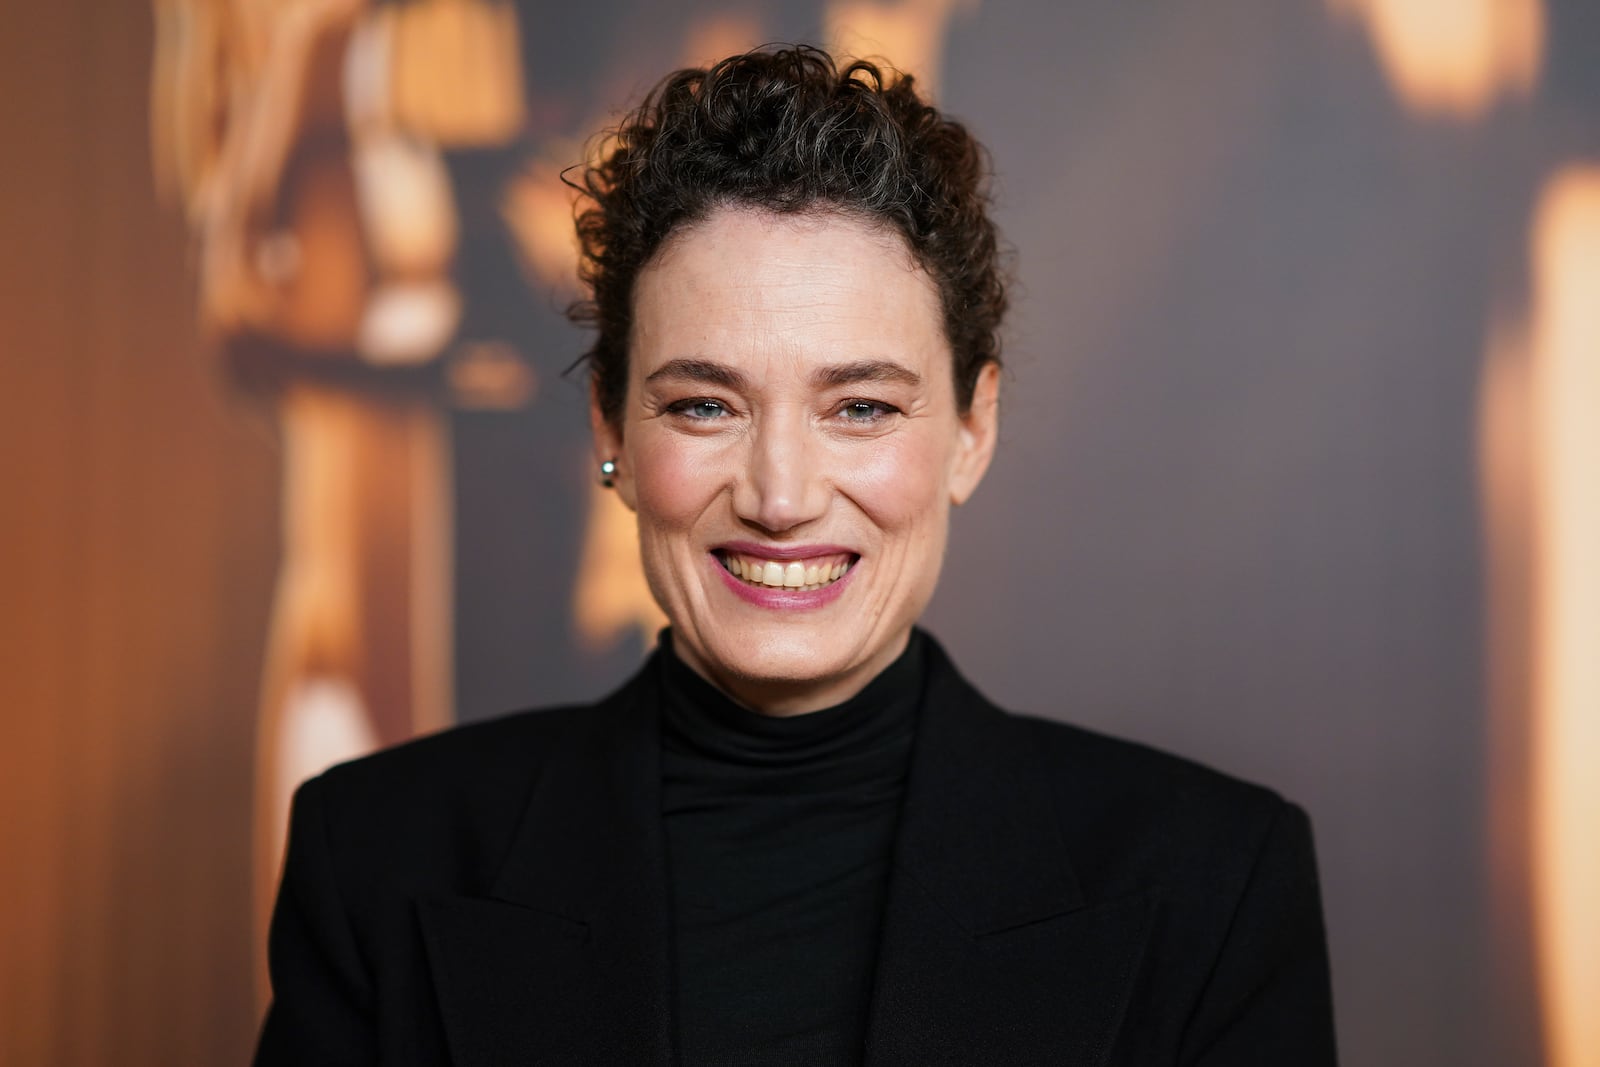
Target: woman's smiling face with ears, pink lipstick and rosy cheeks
(793, 446)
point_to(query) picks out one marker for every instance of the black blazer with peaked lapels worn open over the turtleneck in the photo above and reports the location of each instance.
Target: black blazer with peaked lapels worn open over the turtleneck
(497, 895)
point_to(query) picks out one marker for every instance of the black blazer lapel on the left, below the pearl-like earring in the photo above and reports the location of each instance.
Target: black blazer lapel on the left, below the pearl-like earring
(567, 954)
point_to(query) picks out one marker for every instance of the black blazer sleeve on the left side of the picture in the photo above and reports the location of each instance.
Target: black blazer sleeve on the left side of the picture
(322, 994)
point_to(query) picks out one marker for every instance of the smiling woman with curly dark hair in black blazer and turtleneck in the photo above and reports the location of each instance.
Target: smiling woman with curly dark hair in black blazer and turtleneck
(798, 836)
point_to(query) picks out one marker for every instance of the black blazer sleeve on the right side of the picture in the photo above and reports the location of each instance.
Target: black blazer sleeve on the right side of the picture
(1270, 997)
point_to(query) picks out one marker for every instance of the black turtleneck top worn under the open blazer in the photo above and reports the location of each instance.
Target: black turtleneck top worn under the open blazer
(778, 845)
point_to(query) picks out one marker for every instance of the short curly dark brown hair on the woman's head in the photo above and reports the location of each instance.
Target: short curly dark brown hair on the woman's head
(790, 132)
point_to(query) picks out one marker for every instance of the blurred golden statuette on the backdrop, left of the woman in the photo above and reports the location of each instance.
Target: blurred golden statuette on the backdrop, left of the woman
(306, 145)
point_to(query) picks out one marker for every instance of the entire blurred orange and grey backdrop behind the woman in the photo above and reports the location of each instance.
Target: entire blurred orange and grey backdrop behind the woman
(1300, 473)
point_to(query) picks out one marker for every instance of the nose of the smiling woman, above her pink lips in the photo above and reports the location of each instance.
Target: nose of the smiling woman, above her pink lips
(783, 486)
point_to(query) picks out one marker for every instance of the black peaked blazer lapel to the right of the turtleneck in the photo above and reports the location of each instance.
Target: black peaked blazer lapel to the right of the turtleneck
(991, 953)
